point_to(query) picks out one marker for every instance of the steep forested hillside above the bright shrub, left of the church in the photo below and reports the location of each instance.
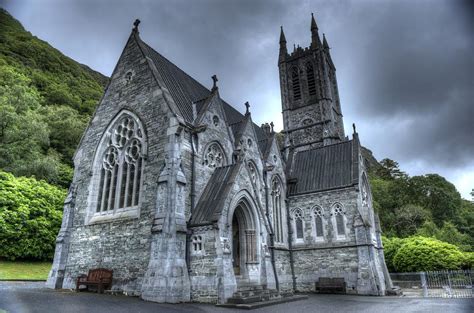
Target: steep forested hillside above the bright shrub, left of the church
(46, 100)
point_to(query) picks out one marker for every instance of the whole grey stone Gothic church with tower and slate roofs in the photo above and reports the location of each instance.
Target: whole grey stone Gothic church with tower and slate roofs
(186, 199)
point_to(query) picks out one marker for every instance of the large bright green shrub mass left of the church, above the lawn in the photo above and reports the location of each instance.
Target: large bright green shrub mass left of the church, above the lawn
(30, 217)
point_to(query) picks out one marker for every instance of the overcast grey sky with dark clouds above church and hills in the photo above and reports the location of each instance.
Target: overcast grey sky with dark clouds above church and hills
(405, 68)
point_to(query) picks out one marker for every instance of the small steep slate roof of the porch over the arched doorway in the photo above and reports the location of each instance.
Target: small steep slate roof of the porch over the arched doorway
(211, 202)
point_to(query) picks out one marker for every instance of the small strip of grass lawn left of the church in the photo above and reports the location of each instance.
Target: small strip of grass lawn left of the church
(24, 270)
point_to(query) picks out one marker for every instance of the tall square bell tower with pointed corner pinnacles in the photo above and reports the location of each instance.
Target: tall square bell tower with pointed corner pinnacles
(312, 114)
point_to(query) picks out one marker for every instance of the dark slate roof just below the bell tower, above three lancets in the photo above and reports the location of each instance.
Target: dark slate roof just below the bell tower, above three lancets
(324, 168)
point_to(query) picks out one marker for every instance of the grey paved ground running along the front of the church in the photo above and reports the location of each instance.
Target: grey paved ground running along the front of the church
(33, 297)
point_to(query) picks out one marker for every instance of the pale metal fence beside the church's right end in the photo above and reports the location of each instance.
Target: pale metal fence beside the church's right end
(436, 284)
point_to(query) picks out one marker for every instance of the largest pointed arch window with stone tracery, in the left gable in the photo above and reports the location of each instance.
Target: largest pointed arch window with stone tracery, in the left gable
(121, 166)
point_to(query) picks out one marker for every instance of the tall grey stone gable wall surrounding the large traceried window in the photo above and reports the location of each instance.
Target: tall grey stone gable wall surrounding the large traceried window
(120, 245)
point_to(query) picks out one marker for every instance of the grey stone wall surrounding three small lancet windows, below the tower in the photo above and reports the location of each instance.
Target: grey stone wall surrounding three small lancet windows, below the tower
(330, 256)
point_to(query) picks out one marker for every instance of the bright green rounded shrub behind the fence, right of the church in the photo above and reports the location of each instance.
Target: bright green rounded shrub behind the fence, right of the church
(427, 254)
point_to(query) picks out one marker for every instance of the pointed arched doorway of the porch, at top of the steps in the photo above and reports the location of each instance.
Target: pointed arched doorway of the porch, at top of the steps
(244, 243)
